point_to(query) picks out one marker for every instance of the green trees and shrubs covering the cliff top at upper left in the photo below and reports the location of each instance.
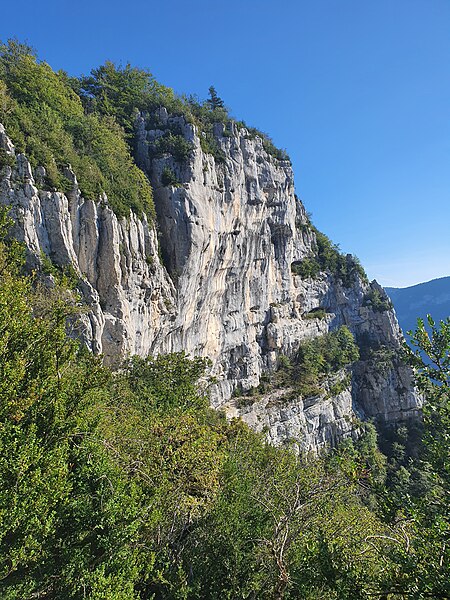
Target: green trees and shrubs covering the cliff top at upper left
(89, 123)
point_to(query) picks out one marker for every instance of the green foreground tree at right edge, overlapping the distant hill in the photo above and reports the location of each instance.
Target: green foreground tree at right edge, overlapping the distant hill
(421, 483)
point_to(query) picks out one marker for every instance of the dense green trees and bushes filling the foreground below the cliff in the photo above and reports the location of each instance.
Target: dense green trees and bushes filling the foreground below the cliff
(127, 485)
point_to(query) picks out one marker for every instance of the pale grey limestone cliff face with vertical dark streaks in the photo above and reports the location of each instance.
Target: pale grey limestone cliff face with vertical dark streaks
(229, 232)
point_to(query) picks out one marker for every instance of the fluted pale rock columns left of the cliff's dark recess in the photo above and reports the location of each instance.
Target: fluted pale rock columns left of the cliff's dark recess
(131, 298)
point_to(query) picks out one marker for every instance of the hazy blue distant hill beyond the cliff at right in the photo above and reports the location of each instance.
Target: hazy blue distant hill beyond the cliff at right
(432, 297)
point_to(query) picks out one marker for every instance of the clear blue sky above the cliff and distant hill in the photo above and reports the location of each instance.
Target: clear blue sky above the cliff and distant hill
(357, 91)
